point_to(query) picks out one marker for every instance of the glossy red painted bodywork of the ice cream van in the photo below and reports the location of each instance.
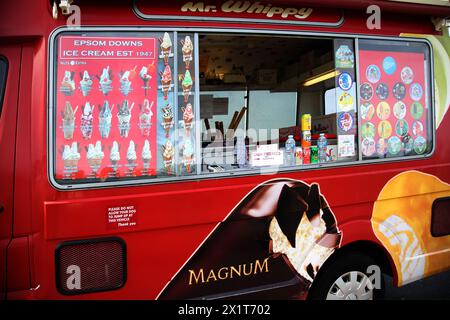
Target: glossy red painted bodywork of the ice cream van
(173, 218)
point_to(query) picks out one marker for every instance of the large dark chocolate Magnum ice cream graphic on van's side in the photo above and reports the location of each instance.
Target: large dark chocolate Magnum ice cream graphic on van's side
(281, 232)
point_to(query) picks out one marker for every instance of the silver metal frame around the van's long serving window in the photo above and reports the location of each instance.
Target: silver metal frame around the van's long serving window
(51, 104)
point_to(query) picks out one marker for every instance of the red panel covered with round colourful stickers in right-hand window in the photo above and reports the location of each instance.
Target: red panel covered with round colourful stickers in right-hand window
(393, 105)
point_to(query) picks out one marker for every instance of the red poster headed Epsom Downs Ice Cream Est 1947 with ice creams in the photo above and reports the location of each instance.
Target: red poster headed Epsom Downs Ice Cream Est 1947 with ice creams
(105, 107)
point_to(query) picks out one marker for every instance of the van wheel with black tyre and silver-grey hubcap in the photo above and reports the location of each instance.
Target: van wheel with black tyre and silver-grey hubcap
(348, 277)
